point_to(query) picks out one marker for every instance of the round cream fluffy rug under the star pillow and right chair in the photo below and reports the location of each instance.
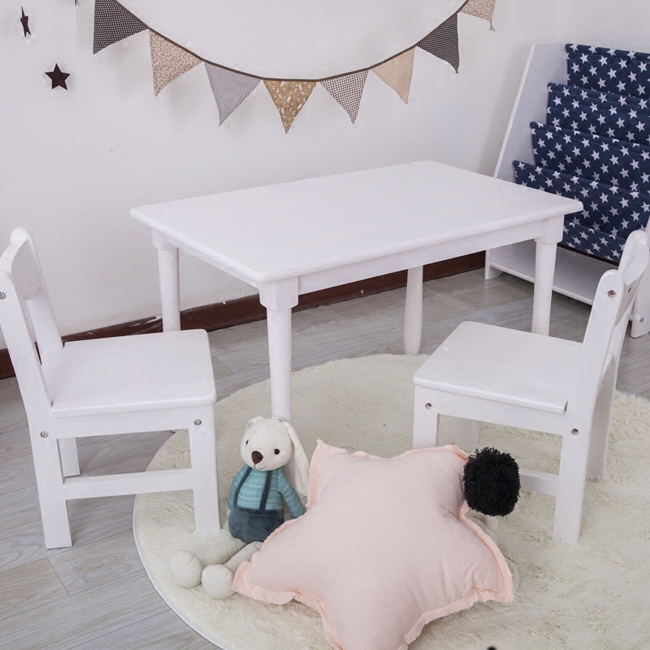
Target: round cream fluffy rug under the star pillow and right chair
(591, 595)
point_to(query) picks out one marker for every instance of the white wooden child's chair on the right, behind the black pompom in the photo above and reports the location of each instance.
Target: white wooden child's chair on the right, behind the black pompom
(493, 374)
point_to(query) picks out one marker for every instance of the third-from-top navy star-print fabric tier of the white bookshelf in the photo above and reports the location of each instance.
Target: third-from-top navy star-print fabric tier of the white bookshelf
(602, 159)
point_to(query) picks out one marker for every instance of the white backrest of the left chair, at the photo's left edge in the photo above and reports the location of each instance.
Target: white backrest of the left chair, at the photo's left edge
(26, 318)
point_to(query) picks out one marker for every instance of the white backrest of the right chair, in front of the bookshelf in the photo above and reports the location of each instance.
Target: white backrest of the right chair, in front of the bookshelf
(610, 314)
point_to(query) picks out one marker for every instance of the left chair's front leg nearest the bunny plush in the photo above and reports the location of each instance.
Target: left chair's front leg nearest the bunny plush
(204, 468)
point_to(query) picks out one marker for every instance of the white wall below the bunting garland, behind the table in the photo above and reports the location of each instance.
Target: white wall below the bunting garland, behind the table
(73, 163)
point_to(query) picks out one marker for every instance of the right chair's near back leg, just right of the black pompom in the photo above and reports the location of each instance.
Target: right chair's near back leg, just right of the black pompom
(571, 487)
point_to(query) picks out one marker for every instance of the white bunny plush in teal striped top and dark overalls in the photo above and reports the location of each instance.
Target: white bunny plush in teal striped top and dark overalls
(255, 503)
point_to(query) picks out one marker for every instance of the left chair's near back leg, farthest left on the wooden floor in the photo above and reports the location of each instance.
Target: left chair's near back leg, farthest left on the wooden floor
(49, 481)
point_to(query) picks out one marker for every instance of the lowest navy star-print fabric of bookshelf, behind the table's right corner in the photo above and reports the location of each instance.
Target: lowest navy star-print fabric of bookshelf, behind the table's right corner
(610, 213)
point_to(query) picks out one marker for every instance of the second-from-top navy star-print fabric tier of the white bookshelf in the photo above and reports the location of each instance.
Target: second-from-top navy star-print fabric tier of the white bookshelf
(613, 116)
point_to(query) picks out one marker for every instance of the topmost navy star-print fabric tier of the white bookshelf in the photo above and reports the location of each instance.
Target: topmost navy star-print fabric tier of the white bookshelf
(616, 71)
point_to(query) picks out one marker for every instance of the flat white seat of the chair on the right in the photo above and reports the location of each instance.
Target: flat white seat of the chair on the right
(503, 365)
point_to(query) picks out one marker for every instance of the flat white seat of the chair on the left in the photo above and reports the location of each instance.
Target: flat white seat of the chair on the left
(130, 373)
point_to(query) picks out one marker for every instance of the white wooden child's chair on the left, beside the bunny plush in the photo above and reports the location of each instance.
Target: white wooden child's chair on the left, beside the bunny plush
(130, 384)
